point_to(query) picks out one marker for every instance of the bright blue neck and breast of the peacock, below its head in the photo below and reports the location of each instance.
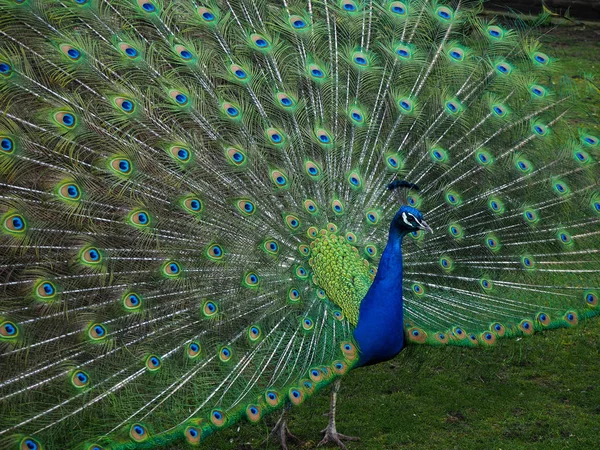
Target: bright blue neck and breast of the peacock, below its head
(380, 330)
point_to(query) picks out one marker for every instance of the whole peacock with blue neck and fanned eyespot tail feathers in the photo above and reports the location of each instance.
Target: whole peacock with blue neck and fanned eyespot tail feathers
(212, 209)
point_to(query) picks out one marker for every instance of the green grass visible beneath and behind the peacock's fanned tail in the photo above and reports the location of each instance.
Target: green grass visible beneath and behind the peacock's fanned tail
(540, 392)
